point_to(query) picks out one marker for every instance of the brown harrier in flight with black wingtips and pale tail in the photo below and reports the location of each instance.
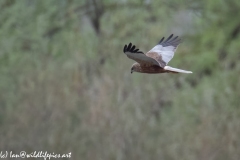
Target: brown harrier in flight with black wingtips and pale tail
(155, 60)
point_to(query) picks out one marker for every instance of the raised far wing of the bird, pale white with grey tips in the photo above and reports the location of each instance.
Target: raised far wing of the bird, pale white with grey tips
(163, 52)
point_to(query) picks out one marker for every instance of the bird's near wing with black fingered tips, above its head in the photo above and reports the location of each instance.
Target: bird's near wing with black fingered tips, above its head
(133, 53)
